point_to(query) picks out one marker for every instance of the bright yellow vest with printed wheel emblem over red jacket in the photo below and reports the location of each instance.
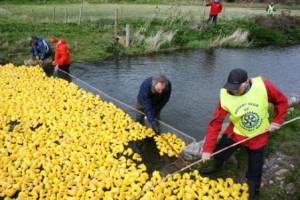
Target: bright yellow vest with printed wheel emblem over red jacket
(248, 112)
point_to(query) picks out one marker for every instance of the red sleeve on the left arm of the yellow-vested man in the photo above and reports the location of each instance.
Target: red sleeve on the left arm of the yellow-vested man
(214, 128)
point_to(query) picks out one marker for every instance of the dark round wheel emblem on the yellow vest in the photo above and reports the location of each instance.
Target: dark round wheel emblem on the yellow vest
(250, 121)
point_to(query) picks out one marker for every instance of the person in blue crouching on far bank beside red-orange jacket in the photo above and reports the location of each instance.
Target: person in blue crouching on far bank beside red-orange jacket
(41, 52)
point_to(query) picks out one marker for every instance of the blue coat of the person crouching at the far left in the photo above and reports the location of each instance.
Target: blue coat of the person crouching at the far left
(42, 49)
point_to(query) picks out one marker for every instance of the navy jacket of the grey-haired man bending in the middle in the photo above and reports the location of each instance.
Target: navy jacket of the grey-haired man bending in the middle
(152, 102)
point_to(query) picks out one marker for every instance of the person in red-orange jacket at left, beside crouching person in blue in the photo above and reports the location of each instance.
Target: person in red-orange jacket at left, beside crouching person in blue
(62, 58)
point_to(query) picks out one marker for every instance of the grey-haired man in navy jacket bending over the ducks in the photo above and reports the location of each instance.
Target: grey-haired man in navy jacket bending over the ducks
(153, 95)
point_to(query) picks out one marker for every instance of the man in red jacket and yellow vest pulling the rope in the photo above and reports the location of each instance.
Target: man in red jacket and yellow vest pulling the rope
(252, 97)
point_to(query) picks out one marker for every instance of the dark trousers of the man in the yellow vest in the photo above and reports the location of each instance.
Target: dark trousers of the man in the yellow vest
(255, 158)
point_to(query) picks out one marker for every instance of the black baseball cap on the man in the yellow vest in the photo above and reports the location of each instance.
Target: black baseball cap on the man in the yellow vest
(235, 79)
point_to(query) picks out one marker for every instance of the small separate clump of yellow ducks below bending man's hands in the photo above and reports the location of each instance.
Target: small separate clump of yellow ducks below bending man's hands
(169, 144)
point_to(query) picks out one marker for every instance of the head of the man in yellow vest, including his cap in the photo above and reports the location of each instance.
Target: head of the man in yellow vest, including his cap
(237, 81)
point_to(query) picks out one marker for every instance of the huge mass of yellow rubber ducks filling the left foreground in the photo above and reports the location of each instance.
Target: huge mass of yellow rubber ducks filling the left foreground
(58, 141)
